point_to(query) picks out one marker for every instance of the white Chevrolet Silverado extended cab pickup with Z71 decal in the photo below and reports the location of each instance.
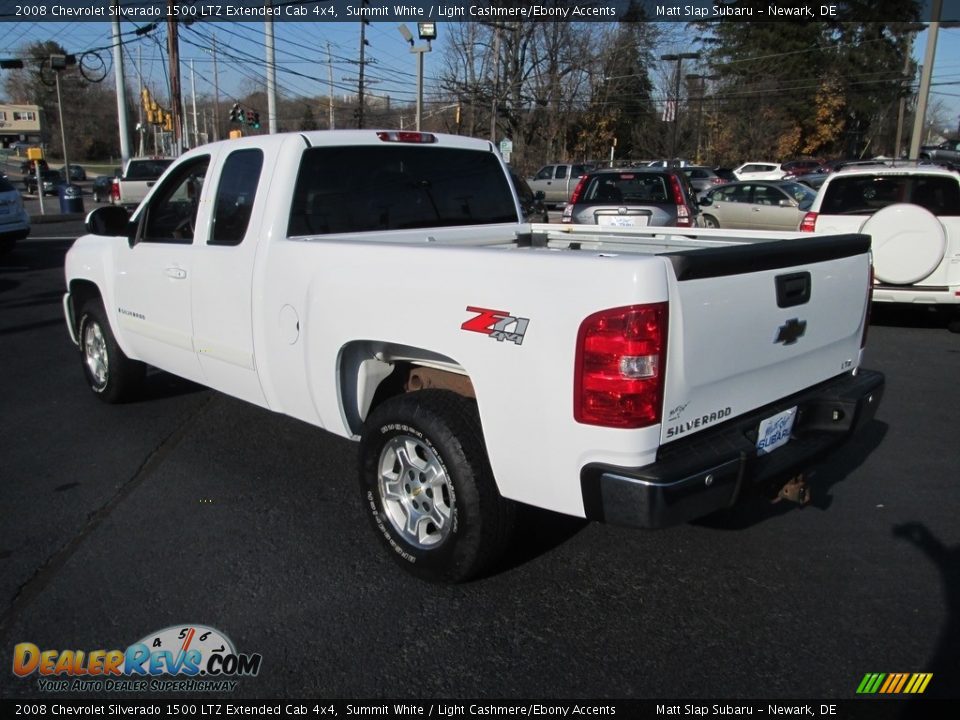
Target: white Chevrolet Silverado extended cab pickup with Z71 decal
(380, 285)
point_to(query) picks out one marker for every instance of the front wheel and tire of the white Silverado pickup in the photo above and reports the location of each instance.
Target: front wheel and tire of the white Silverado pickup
(112, 376)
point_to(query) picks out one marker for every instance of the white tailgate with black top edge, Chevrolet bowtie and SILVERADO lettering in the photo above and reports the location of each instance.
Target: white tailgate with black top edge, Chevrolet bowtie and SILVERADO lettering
(751, 324)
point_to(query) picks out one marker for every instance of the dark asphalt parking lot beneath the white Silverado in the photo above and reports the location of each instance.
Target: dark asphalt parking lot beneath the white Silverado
(191, 507)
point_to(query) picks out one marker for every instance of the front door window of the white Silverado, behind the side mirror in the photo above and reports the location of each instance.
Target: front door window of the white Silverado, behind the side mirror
(172, 213)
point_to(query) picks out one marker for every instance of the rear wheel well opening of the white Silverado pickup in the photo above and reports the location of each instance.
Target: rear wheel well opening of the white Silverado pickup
(372, 372)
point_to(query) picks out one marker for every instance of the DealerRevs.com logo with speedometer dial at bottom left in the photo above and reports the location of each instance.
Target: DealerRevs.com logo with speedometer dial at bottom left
(180, 658)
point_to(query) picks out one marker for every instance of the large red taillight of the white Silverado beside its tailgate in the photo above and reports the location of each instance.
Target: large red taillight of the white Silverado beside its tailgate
(620, 365)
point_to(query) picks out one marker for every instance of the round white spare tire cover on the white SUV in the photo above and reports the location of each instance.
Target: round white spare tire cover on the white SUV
(908, 243)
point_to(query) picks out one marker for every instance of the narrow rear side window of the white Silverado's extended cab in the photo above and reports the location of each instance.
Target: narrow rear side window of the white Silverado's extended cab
(235, 196)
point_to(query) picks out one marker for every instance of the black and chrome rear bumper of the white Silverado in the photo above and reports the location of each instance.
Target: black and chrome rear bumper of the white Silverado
(709, 471)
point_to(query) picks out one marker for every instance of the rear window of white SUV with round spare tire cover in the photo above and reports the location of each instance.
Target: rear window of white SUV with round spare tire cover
(865, 194)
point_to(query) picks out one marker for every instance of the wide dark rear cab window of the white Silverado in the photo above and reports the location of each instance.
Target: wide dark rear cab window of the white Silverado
(393, 187)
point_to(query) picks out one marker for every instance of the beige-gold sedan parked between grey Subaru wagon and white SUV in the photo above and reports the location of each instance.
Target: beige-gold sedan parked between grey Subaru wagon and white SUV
(757, 205)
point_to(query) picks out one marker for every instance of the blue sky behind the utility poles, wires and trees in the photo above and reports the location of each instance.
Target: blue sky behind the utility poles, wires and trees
(302, 58)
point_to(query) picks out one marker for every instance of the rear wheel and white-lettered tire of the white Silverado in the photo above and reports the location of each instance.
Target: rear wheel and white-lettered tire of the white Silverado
(427, 485)
